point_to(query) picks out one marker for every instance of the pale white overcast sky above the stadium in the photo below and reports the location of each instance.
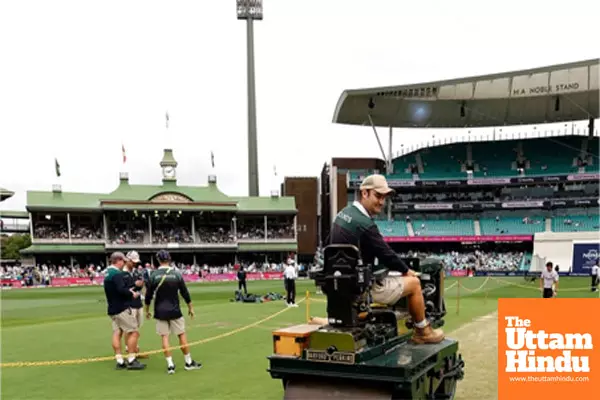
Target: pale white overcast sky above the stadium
(79, 78)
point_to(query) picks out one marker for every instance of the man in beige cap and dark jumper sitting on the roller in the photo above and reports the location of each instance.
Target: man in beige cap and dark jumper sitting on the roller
(354, 225)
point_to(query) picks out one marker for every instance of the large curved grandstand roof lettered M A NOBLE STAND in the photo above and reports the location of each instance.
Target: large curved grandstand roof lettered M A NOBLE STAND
(510, 98)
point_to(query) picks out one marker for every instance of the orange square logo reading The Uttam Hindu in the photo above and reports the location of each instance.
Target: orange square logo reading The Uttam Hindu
(548, 348)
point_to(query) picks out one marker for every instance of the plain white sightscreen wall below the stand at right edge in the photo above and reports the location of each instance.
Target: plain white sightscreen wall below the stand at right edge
(558, 248)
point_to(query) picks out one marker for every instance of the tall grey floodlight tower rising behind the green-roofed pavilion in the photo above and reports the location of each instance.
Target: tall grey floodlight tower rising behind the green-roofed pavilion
(251, 10)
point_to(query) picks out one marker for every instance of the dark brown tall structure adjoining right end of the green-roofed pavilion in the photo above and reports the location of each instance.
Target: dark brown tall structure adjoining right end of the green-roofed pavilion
(306, 191)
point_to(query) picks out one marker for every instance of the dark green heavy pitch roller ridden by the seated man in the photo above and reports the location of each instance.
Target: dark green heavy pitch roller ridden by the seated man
(363, 350)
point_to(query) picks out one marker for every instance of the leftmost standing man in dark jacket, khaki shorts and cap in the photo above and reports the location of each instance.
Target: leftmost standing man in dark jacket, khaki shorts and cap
(118, 297)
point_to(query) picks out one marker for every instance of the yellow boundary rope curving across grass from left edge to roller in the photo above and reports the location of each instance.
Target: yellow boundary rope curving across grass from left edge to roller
(109, 358)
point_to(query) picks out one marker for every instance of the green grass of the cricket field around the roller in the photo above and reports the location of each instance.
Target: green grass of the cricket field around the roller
(71, 323)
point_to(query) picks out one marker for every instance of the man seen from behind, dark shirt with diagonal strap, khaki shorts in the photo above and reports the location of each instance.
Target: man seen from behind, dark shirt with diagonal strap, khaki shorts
(166, 283)
